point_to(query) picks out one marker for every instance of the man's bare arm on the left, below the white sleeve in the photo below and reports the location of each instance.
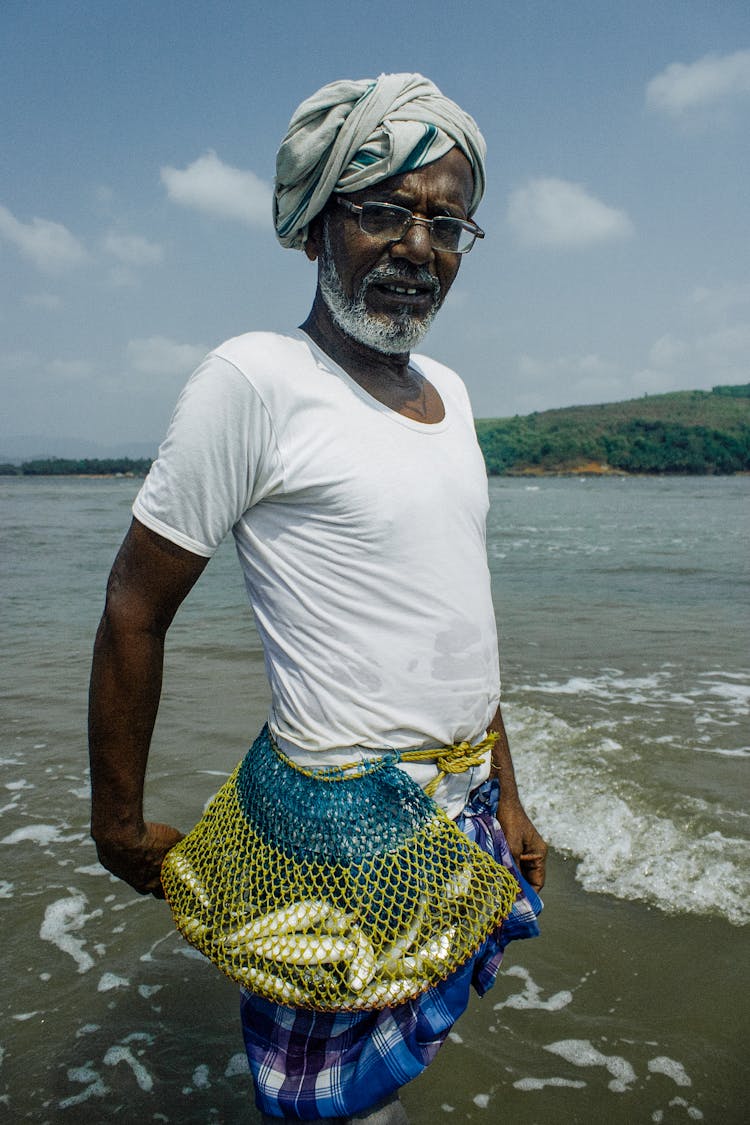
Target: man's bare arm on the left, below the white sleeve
(150, 580)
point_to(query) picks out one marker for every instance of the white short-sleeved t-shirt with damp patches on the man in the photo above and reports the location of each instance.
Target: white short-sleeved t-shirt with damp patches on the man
(362, 537)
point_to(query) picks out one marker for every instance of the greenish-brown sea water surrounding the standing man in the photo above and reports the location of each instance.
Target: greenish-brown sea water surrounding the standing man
(622, 608)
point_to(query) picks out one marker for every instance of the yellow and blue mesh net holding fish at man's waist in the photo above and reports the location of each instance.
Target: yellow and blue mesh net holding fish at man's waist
(330, 892)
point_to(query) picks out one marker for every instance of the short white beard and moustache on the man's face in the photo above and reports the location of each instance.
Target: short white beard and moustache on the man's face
(392, 335)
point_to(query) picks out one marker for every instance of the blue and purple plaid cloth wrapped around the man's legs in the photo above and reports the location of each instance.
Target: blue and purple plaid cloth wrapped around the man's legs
(311, 1065)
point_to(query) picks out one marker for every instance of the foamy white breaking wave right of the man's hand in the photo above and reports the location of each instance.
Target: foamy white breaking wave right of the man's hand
(625, 849)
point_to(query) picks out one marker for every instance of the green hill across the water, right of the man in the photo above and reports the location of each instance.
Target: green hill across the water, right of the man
(686, 431)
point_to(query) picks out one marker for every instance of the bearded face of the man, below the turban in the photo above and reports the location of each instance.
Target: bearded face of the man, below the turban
(386, 295)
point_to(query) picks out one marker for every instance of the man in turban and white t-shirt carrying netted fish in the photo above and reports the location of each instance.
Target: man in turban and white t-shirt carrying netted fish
(350, 475)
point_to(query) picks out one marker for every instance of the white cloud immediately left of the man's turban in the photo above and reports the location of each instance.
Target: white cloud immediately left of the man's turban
(220, 190)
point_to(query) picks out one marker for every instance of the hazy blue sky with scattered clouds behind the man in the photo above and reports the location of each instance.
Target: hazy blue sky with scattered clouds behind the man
(139, 145)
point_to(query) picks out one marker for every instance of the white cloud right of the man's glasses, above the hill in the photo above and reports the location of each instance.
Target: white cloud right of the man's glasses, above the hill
(557, 213)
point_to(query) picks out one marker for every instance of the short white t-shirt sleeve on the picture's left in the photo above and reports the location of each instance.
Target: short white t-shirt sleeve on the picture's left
(219, 460)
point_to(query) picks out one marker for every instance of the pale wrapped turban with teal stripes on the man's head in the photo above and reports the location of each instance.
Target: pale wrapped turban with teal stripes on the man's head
(353, 134)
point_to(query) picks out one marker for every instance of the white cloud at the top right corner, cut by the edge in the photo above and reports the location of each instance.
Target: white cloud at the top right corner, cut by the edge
(712, 82)
